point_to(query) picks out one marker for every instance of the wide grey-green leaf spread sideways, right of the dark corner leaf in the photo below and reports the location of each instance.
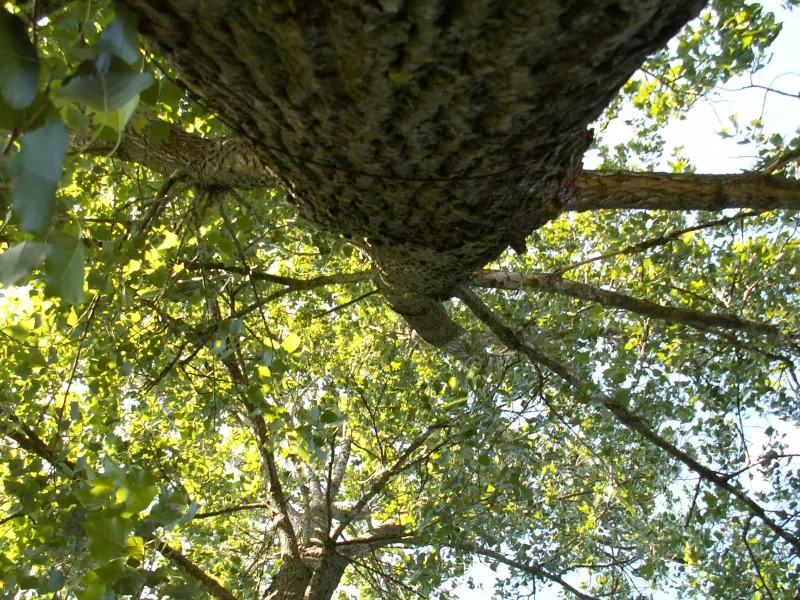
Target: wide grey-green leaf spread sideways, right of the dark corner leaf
(105, 84)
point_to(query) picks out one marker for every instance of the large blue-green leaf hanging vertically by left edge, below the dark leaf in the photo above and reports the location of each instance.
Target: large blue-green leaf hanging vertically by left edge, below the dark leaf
(38, 169)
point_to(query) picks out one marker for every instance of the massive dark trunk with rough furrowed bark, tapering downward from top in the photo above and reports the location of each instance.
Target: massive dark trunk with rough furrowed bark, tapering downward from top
(438, 133)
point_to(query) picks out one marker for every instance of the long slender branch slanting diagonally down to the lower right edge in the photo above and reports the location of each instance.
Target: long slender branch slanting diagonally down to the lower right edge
(632, 421)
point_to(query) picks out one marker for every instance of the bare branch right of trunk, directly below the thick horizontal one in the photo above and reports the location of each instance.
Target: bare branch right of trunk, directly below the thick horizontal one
(506, 280)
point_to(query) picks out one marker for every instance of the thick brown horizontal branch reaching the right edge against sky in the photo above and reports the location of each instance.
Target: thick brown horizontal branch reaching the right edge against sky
(597, 190)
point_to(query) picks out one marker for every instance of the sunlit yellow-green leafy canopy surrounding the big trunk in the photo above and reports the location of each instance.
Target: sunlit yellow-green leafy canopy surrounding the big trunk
(197, 382)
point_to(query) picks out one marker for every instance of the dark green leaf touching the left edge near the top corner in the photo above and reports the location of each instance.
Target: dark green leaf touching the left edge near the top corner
(19, 62)
